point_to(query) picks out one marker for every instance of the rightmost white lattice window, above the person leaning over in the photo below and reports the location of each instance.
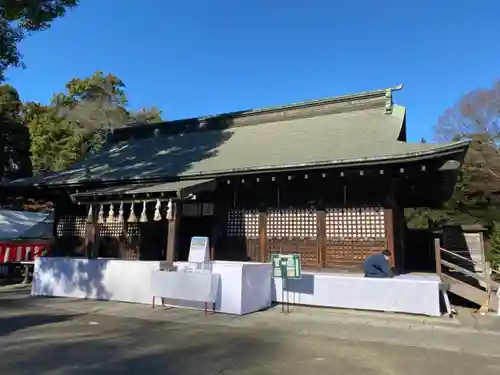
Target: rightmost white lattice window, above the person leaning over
(365, 222)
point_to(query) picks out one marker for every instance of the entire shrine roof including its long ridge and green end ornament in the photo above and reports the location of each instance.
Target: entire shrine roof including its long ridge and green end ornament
(356, 129)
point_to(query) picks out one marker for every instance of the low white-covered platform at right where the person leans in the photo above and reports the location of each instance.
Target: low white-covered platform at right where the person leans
(413, 294)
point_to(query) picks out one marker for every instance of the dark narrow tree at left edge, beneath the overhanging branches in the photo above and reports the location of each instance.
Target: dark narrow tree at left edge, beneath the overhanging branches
(14, 136)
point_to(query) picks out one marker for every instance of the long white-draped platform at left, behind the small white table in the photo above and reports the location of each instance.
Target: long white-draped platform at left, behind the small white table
(243, 288)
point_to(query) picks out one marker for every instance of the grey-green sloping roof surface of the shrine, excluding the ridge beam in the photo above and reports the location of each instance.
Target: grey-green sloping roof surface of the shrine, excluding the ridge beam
(359, 135)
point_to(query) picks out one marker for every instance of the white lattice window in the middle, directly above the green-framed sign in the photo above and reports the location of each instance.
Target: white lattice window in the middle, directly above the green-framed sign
(292, 223)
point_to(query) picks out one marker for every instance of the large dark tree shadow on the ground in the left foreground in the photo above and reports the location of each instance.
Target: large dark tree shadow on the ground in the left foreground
(152, 348)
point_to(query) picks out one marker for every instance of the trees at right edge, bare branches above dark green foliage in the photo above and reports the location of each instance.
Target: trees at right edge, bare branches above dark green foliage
(475, 117)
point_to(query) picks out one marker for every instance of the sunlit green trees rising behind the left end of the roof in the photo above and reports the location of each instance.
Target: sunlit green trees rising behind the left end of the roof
(77, 121)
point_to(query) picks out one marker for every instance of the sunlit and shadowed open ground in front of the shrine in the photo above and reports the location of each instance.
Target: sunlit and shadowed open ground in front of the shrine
(47, 336)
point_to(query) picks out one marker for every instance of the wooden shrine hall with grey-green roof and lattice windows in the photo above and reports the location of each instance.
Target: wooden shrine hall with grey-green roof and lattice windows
(328, 178)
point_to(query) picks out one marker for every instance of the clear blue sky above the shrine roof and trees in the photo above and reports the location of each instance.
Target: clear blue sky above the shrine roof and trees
(201, 57)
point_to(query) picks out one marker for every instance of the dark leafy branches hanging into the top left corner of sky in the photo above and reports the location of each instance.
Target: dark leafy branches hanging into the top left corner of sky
(20, 16)
